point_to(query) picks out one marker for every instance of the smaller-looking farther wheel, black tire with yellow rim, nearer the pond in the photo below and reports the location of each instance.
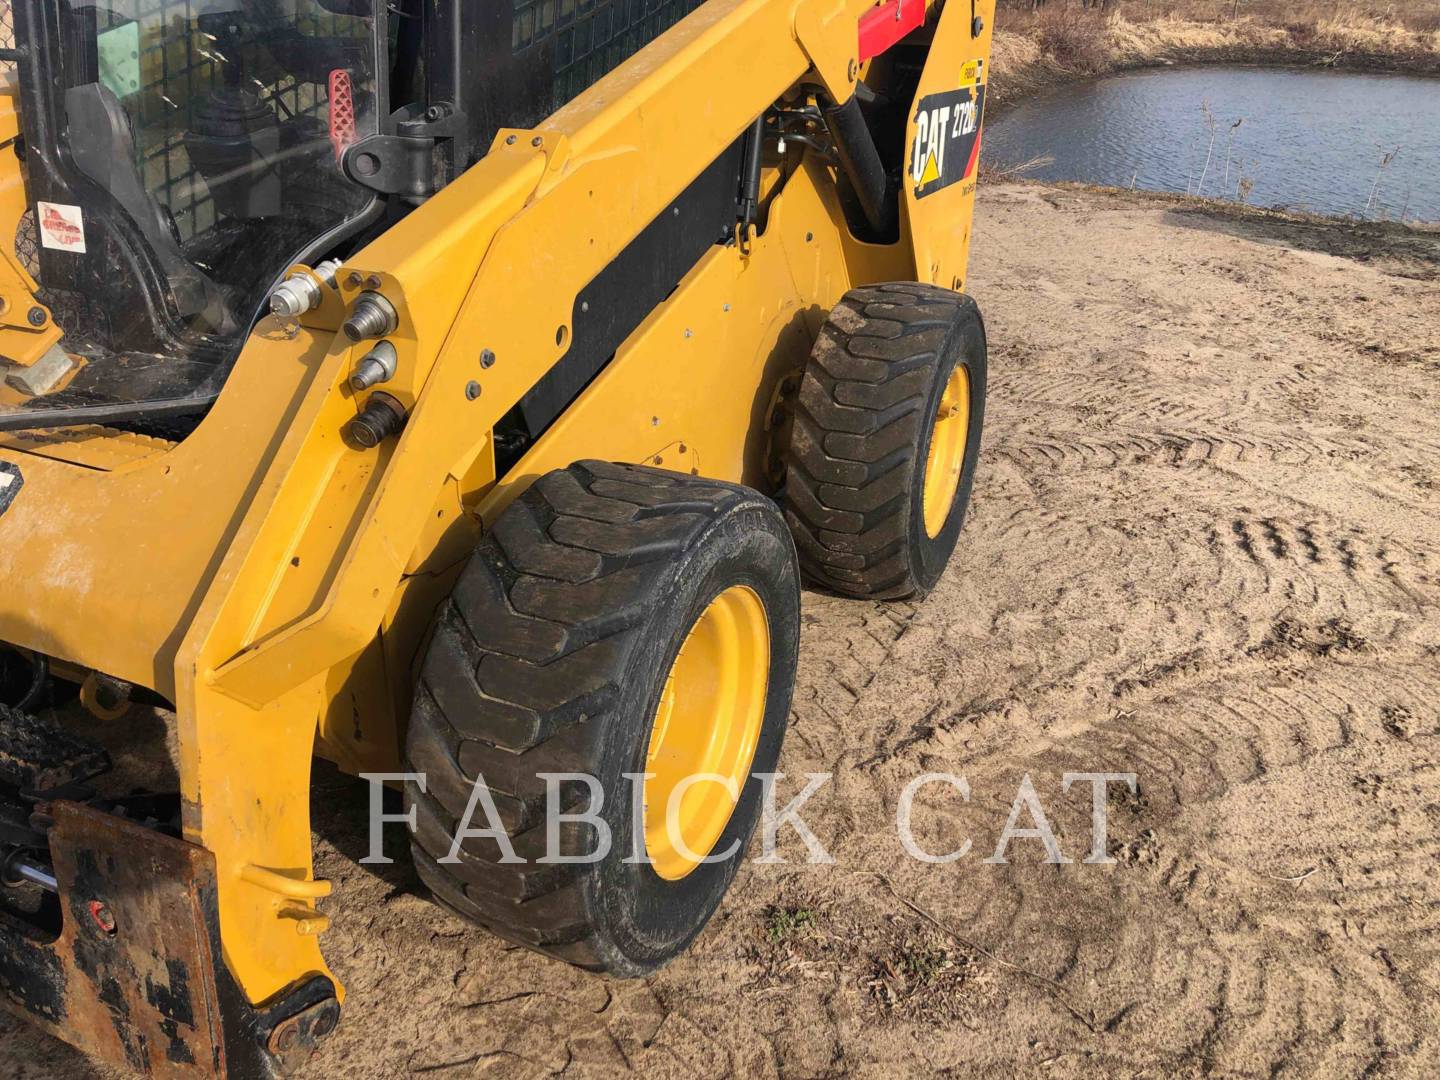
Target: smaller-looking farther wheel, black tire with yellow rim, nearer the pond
(895, 374)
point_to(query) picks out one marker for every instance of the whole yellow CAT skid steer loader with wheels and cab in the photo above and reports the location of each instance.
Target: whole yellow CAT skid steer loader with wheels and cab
(457, 391)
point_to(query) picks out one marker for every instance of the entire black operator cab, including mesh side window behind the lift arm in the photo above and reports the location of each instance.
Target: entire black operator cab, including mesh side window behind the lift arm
(181, 156)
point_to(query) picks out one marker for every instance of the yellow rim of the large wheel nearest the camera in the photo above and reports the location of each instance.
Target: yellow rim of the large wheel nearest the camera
(708, 725)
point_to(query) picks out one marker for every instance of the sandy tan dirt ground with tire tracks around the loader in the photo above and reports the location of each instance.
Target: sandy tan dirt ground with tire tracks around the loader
(1206, 549)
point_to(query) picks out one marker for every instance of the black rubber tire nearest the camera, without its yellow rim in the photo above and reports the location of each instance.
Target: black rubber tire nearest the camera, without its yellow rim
(552, 656)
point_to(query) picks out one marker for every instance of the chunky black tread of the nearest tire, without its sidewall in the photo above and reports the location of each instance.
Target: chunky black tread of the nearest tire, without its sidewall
(525, 656)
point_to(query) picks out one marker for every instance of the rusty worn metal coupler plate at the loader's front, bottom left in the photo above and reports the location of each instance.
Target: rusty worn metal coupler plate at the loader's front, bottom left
(136, 974)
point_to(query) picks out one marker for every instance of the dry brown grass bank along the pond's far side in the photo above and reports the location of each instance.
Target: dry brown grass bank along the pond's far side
(1063, 40)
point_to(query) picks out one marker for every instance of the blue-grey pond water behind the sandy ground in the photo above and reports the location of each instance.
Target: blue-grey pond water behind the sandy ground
(1308, 140)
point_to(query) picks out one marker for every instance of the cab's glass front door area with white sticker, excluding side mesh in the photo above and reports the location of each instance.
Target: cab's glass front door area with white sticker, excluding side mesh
(178, 158)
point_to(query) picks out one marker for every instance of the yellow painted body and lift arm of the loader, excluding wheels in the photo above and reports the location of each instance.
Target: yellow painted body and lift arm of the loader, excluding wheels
(276, 582)
